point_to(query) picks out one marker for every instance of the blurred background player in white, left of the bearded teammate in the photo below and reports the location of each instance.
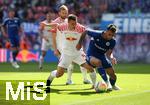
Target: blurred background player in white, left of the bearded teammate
(45, 31)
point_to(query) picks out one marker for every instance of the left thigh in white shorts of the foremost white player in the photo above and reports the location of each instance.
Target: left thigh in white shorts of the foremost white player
(65, 61)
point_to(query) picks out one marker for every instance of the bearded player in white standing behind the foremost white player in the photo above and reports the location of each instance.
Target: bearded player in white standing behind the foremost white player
(57, 45)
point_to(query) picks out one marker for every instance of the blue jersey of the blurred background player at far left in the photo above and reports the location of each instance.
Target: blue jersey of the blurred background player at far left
(12, 26)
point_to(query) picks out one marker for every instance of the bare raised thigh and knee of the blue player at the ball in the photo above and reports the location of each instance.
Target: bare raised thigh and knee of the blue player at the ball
(93, 61)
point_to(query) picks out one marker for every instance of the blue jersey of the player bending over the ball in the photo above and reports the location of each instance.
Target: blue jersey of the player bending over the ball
(98, 45)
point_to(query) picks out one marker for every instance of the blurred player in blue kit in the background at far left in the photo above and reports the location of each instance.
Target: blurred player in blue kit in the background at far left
(10, 29)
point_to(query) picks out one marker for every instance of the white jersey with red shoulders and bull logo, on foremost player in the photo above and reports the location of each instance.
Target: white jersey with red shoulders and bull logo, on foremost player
(70, 38)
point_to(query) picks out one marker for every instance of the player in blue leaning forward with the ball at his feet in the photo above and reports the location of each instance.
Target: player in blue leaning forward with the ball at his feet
(99, 51)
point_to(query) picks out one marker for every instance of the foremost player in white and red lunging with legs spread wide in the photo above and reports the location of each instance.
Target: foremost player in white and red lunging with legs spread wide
(71, 33)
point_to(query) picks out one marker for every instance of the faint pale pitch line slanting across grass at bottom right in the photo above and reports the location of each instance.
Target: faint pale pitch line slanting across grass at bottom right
(100, 99)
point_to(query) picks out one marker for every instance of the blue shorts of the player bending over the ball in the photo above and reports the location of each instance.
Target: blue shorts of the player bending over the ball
(105, 62)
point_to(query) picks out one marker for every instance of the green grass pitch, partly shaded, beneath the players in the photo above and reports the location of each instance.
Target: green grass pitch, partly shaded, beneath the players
(134, 79)
